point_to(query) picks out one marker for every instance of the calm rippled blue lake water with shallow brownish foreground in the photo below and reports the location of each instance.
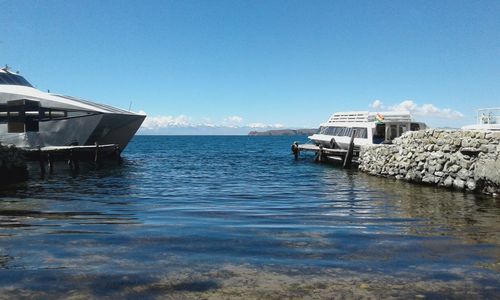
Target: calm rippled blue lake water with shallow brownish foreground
(225, 217)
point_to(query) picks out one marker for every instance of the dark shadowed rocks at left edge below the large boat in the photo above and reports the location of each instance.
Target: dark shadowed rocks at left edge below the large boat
(12, 165)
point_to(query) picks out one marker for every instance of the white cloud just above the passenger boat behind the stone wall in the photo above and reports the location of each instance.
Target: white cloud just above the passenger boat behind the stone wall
(427, 110)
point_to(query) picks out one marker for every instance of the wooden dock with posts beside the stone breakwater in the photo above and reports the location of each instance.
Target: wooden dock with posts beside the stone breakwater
(345, 156)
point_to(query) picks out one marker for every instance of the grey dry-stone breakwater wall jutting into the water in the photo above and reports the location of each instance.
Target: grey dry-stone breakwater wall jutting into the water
(463, 160)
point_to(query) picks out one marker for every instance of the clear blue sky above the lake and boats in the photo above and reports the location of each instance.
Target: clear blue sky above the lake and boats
(255, 63)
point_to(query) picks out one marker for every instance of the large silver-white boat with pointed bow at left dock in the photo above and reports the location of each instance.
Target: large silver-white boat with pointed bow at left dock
(32, 118)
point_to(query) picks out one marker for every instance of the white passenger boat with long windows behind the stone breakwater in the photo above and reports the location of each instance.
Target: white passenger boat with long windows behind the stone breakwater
(367, 127)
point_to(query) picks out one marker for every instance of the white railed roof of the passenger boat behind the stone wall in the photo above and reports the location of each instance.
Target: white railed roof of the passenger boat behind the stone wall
(367, 116)
